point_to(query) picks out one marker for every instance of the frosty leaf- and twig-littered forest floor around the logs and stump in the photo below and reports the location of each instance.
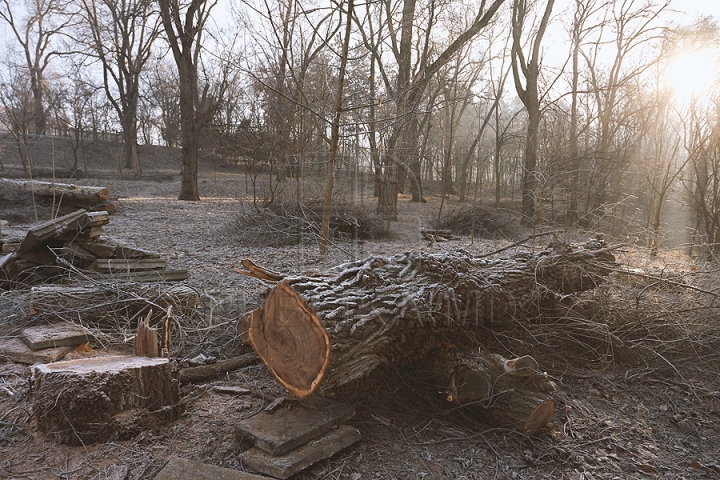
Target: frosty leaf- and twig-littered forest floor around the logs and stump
(656, 420)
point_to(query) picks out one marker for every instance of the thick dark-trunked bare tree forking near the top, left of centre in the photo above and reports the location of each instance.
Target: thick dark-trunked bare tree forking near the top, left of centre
(184, 25)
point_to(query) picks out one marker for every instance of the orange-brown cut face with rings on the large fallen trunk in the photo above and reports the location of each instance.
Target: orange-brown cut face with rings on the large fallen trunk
(290, 340)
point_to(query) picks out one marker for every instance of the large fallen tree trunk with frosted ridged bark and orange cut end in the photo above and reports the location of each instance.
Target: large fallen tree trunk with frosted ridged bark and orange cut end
(396, 310)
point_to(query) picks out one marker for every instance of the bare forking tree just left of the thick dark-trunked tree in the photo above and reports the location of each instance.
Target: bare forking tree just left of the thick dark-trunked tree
(120, 35)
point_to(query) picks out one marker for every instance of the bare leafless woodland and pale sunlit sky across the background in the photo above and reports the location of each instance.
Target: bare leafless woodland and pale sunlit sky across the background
(598, 113)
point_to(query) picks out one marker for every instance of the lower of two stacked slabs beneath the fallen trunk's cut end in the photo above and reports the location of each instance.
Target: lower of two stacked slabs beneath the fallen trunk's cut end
(302, 457)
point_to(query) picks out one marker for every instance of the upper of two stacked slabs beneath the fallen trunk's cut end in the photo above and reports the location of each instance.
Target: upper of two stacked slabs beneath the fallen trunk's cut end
(284, 429)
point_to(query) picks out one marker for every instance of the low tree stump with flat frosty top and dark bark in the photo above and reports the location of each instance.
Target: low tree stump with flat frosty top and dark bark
(91, 400)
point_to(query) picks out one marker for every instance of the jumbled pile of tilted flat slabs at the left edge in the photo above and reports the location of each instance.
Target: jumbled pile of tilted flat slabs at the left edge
(50, 249)
